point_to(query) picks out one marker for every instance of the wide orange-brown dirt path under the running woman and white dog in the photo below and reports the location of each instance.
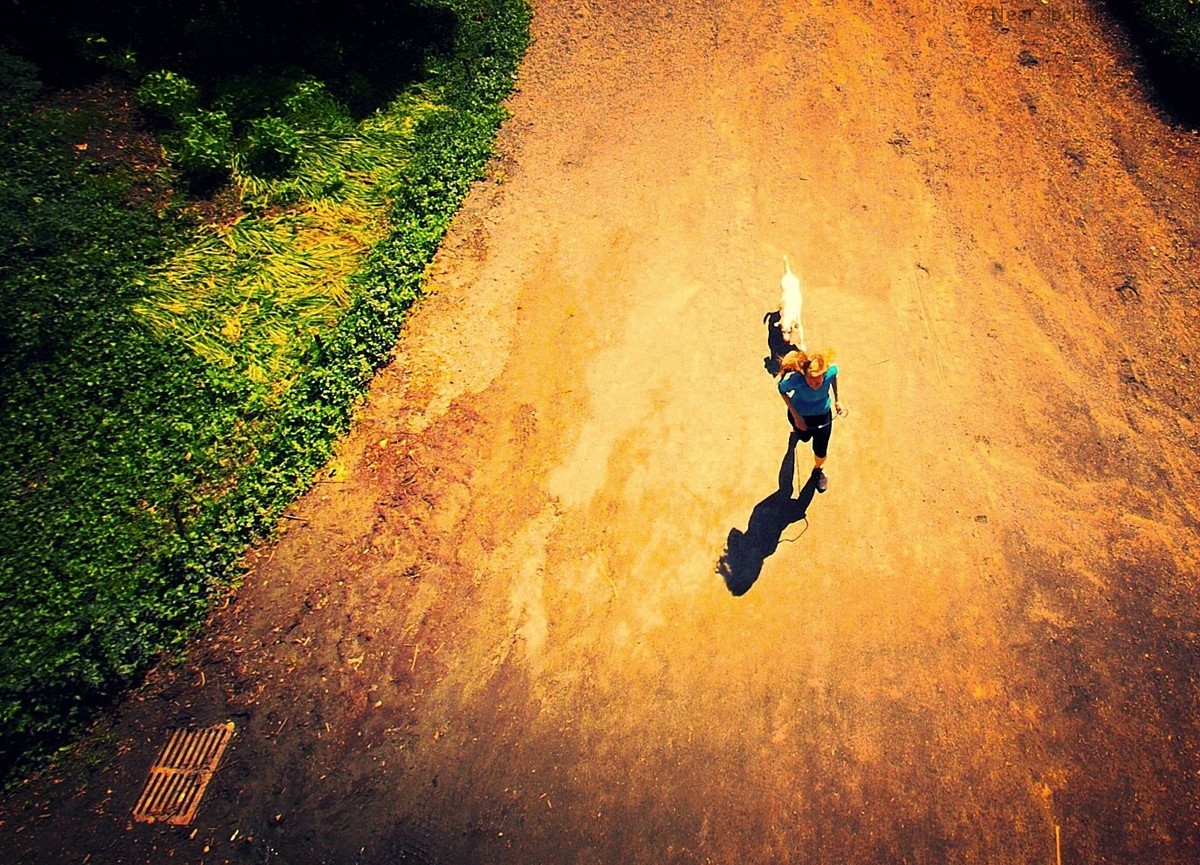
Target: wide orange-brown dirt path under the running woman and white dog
(555, 603)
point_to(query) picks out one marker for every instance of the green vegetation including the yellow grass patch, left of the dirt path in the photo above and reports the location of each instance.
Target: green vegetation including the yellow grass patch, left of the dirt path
(152, 432)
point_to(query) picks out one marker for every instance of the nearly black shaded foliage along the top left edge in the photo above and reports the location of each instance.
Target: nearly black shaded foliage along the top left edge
(364, 50)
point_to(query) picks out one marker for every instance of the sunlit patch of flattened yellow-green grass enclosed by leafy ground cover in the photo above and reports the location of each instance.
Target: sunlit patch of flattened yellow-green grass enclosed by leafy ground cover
(250, 297)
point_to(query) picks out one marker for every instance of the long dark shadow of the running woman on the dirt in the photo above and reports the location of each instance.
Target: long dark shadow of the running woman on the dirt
(746, 552)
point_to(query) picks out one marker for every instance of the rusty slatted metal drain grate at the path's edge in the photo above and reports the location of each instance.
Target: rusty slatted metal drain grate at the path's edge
(183, 771)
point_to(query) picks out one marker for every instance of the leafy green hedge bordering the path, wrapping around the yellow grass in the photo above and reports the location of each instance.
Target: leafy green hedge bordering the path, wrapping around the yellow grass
(134, 476)
